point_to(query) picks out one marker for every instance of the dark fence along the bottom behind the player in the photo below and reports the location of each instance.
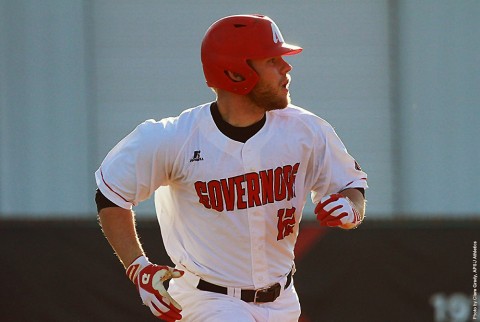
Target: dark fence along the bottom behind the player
(382, 272)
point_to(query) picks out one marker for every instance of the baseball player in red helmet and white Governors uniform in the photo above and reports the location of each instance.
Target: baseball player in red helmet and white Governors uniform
(230, 179)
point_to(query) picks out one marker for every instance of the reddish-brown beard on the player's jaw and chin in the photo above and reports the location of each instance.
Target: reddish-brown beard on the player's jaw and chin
(269, 97)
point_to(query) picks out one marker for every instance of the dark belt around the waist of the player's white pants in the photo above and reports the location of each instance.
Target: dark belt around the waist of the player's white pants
(262, 295)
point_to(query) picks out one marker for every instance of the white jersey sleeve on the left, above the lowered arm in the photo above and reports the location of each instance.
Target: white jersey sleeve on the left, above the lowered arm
(136, 166)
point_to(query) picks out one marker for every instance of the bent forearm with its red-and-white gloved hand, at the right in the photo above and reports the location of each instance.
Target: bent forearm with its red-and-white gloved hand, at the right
(345, 209)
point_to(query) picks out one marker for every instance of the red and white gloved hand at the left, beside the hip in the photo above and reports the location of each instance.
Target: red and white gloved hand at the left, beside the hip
(149, 280)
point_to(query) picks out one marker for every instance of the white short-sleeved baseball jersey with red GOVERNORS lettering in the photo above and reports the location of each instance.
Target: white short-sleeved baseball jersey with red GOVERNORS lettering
(229, 211)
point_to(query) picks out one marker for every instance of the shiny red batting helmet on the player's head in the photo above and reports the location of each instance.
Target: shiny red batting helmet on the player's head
(230, 41)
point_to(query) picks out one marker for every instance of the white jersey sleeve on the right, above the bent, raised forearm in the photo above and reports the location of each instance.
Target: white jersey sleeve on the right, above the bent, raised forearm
(335, 169)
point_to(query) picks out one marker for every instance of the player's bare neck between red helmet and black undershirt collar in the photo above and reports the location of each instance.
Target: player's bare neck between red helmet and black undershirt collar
(238, 110)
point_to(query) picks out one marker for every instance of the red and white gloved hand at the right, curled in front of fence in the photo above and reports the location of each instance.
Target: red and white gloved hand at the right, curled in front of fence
(337, 210)
